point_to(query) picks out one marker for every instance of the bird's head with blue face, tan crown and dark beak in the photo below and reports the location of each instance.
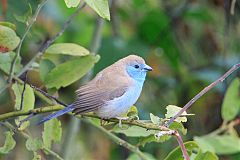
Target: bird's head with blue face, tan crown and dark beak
(136, 67)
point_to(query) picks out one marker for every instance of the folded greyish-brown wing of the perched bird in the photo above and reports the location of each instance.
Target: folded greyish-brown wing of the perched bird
(90, 98)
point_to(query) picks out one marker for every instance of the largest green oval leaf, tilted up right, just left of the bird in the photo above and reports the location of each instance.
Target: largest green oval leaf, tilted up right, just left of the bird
(70, 71)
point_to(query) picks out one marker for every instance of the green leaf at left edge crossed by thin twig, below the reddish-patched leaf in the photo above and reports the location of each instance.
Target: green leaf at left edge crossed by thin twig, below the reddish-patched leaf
(6, 60)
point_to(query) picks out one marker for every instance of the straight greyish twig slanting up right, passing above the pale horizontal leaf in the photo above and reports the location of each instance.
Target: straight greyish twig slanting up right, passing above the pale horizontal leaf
(50, 41)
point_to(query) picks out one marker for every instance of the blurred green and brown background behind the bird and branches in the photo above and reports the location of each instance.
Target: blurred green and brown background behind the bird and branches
(188, 43)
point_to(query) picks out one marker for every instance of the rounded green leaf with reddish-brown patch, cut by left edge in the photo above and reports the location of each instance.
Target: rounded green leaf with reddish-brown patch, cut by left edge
(8, 39)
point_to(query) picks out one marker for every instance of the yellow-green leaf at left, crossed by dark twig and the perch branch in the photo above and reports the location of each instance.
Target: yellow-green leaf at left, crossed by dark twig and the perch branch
(28, 102)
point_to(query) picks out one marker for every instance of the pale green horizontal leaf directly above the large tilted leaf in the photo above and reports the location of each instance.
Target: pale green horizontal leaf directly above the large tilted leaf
(67, 49)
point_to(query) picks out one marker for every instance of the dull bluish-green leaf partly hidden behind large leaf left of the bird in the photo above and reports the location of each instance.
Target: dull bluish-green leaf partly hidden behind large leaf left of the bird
(45, 67)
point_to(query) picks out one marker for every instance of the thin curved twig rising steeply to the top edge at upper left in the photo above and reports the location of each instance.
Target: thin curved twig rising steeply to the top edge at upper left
(29, 26)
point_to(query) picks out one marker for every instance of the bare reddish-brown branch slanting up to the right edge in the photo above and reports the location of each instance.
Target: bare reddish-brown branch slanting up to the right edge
(205, 90)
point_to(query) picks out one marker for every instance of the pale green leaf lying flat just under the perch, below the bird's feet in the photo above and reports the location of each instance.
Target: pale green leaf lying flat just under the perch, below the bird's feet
(134, 131)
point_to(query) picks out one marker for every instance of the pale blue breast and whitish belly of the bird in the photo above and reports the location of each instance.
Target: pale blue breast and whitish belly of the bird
(120, 105)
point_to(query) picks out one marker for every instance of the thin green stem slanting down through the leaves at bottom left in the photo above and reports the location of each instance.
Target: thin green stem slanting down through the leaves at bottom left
(26, 136)
